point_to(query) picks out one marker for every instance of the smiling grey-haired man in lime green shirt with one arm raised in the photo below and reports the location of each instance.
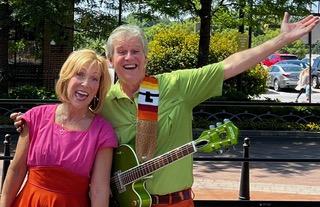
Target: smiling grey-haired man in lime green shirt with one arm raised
(176, 94)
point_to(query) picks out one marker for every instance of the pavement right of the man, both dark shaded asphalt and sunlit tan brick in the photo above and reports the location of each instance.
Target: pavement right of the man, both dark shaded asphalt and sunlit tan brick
(268, 181)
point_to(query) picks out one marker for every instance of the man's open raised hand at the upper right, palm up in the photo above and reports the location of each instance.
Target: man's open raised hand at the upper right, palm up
(298, 29)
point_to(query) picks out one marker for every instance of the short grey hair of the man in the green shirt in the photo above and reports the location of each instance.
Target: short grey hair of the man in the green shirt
(127, 31)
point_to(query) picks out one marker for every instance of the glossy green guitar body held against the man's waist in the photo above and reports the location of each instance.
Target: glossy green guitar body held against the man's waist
(135, 194)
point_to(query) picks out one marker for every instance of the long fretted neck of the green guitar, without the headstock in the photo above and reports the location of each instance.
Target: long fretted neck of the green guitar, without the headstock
(146, 168)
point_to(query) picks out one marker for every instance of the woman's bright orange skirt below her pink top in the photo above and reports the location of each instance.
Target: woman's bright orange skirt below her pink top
(53, 187)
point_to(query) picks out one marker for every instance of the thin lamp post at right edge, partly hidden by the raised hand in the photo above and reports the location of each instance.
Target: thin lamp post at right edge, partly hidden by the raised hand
(314, 10)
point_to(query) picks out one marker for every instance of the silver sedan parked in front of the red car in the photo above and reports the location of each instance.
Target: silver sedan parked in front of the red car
(283, 76)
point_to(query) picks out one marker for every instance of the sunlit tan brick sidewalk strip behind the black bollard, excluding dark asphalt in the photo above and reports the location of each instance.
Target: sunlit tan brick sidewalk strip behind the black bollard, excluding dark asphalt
(225, 185)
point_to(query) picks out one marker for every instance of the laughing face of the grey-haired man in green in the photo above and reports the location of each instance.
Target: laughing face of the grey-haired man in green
(129, 60)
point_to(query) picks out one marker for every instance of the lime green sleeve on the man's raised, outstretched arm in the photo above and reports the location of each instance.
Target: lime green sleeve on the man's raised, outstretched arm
(197, 85)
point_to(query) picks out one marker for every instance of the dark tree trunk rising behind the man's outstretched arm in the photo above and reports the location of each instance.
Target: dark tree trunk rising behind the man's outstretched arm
(205, 29)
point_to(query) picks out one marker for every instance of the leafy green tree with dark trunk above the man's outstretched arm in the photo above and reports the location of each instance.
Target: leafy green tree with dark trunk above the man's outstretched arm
(262, 12)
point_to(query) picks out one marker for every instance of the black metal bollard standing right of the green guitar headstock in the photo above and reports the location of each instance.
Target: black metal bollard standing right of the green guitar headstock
(244, 193)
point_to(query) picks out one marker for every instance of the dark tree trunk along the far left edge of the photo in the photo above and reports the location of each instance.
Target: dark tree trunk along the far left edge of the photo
(4, 38)
